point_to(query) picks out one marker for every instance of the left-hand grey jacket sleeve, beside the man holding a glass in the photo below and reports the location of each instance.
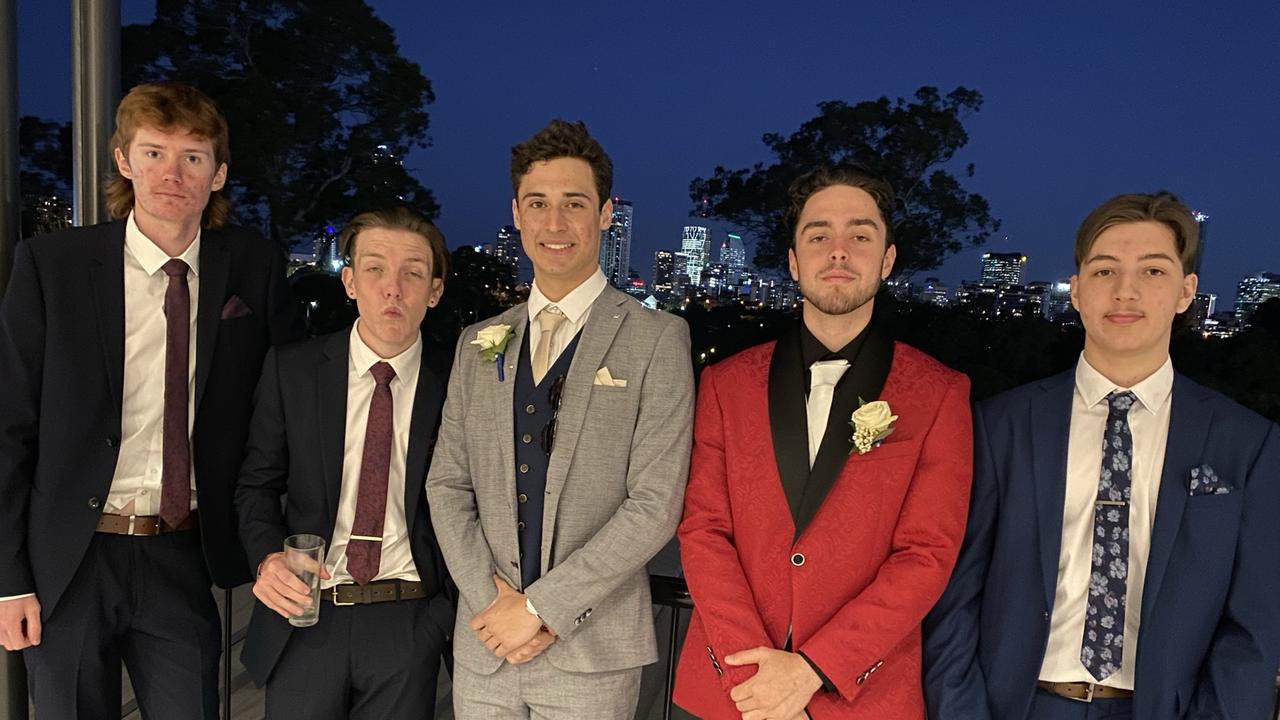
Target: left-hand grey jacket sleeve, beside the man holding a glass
(451, 494)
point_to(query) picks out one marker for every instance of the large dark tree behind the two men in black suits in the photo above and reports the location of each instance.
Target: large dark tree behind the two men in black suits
(321, 103)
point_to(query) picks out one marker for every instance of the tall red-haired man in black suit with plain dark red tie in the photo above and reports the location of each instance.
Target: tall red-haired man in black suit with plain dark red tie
(130, 353)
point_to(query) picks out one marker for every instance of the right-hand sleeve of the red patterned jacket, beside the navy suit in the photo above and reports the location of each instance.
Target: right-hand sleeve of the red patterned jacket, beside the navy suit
(925, 546)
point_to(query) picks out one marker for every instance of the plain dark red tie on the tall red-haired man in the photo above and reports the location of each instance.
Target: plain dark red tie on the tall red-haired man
(176, 479)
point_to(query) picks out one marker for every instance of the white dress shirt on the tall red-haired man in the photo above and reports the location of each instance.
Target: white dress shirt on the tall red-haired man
(141, 461)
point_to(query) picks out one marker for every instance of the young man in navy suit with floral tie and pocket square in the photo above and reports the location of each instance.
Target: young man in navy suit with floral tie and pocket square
(1122, 552)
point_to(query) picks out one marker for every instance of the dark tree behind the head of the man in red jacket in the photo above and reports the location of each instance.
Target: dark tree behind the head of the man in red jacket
(909, 143)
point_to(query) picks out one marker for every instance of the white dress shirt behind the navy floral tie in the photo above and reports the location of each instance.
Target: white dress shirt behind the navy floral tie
(1149, 425)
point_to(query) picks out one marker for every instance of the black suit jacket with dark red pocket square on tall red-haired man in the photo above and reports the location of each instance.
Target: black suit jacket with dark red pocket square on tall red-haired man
(62, 362)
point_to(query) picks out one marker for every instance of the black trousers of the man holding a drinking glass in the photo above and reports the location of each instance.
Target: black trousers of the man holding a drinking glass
(362, 662)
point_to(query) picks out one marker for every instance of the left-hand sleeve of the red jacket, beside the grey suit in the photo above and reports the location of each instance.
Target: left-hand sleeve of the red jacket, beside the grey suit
(708, 553)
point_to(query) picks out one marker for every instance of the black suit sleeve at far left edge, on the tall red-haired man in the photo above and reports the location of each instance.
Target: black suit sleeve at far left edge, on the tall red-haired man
(22, 359)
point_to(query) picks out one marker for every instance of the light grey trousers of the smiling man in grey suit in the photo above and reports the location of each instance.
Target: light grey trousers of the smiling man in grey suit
(540, 691)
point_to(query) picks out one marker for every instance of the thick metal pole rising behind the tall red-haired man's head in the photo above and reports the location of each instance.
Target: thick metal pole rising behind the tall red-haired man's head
(95, 92)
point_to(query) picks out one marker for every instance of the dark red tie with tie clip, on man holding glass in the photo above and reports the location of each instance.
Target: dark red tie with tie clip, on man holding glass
(365, 548)
